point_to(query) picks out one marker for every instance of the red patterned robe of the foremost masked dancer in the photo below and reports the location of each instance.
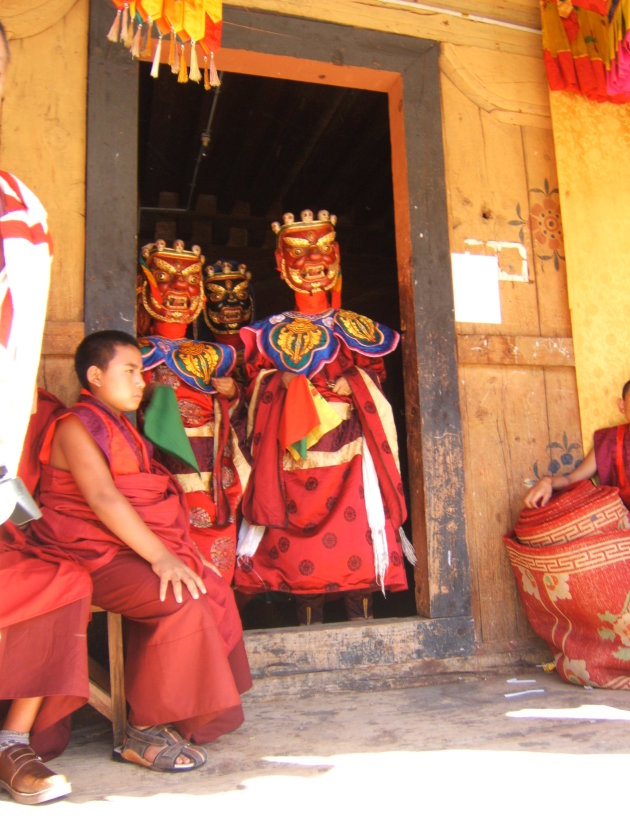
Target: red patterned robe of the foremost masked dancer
(317, 537)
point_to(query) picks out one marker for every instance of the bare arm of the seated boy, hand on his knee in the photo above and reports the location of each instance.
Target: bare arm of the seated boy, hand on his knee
(74, 449)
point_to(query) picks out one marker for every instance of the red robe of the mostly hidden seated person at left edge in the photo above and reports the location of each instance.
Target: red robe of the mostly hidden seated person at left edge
(44, 611)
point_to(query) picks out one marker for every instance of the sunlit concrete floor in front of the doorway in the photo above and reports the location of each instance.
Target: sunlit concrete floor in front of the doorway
(447, 759)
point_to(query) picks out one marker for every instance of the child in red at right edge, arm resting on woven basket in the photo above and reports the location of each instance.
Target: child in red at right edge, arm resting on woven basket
(609, 458)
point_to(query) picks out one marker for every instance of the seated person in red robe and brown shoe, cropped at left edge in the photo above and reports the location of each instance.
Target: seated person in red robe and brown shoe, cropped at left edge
(44, 610)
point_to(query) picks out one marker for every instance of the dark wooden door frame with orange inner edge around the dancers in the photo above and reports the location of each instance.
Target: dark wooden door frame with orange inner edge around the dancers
(407, 70)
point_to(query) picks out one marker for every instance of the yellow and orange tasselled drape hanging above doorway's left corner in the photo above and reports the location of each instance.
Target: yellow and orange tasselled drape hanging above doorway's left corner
(193, 29)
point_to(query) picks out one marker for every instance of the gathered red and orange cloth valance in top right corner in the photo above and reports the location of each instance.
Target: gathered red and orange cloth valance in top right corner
(587, 47)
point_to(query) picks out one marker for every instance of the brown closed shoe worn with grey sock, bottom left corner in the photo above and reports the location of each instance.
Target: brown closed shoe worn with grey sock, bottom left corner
(27, 779)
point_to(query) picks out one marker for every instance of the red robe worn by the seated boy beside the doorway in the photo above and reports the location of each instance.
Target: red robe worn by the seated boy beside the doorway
(185, 664)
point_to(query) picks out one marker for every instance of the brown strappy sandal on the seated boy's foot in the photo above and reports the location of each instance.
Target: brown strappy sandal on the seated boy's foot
(137, 742)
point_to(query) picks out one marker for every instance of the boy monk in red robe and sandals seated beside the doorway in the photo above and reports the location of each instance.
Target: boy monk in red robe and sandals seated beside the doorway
(123, 518)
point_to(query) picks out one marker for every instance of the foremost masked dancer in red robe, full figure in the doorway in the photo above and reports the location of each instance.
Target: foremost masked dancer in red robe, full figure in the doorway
(324, 505)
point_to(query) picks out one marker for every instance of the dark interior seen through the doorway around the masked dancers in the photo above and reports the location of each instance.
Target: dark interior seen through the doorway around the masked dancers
(216, 168)
